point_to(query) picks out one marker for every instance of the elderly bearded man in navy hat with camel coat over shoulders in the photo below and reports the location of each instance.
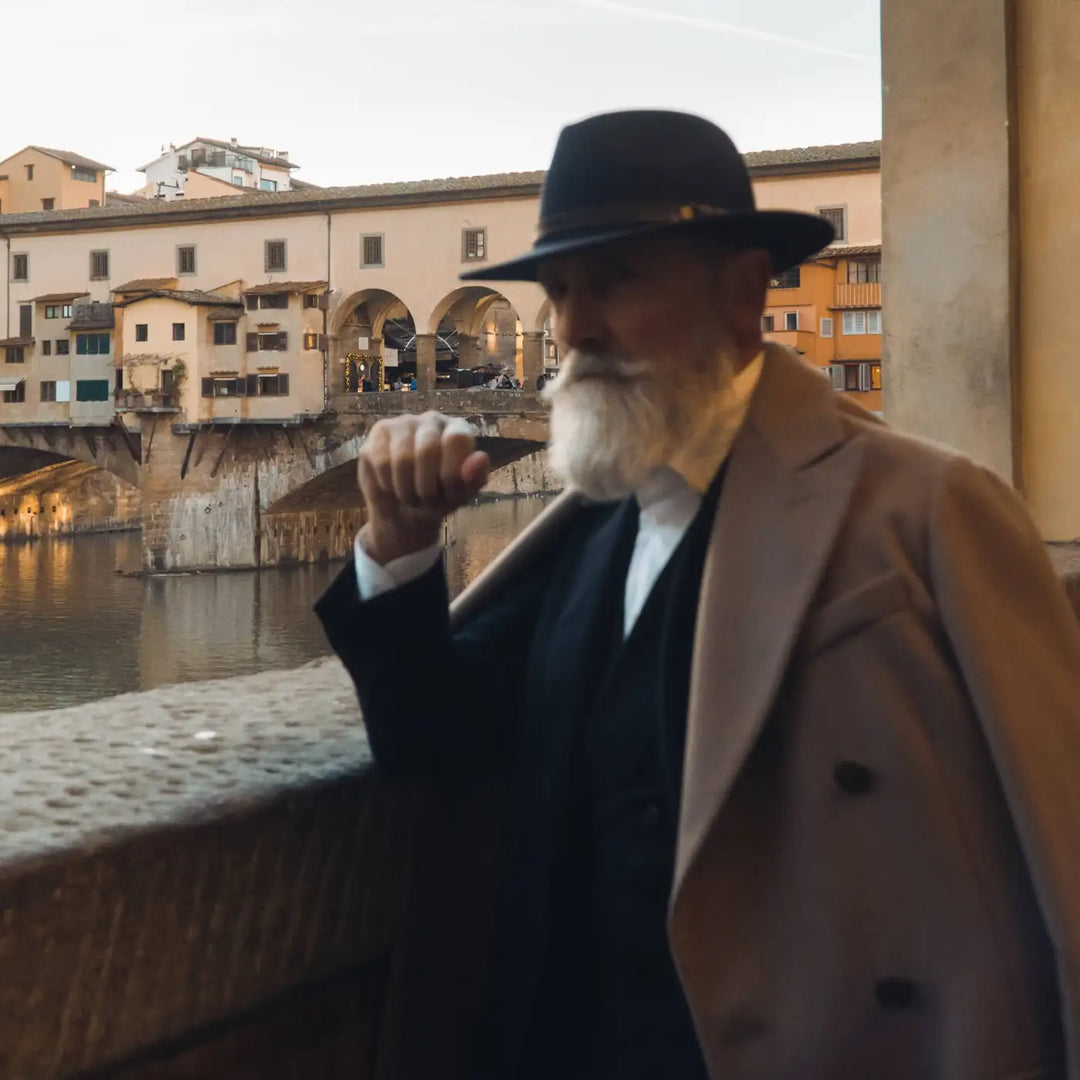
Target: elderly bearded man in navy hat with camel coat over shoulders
(788, 703)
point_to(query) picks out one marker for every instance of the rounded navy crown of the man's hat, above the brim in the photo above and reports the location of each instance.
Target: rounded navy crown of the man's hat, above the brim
(644, 158)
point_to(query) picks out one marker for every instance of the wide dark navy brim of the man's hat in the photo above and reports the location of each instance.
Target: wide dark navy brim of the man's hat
(789, 237)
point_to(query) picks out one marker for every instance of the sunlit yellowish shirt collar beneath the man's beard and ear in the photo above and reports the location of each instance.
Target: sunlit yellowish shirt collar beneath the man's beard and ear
(694, 467)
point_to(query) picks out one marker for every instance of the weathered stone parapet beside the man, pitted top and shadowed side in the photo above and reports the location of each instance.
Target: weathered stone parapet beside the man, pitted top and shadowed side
(208, 881)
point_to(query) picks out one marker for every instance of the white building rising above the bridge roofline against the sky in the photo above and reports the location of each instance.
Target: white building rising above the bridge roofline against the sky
(206, 168)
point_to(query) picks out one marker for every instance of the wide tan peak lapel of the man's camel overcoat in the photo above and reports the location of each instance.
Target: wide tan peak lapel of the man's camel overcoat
(790, 481)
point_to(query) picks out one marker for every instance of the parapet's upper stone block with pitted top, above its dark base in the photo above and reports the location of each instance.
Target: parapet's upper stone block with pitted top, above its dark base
(172, 859)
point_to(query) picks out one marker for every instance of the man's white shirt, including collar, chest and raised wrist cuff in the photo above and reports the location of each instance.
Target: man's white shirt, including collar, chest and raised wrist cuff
(669, 501)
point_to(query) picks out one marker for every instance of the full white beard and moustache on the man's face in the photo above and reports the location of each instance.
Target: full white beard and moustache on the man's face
(615, 422)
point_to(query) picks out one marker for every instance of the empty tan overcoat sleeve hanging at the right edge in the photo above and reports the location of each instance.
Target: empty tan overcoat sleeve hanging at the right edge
(1018, 643)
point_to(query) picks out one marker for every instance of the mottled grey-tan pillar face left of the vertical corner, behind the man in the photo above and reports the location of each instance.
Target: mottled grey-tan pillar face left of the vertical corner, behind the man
(950, 256)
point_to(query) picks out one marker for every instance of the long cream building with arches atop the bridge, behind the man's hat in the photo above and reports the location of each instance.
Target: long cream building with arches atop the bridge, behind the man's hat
(265, 307)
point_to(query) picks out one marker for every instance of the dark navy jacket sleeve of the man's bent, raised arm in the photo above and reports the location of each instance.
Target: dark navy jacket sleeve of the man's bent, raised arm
(437, 705)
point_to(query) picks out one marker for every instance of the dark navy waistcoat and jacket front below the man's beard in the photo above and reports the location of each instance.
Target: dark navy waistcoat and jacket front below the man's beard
(607, 720)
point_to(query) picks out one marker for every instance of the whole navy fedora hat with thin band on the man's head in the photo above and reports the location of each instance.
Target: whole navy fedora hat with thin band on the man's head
(626, 174)
